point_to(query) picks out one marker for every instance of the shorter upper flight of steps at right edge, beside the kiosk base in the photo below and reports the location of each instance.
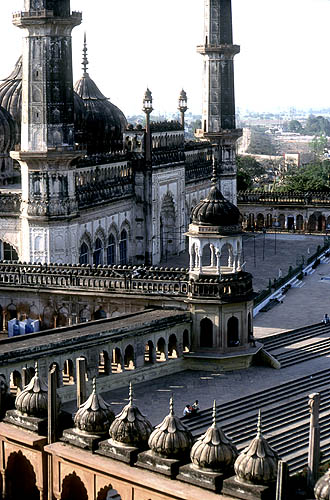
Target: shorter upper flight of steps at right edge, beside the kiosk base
(293, 356)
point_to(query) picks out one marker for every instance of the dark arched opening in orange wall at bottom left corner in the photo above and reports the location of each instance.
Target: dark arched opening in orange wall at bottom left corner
(20, 478)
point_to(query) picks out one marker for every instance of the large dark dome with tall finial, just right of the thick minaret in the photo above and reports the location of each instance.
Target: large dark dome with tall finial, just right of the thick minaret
(104, 122)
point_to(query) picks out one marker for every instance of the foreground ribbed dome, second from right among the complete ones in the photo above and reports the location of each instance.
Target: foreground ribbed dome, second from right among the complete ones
(214, 451)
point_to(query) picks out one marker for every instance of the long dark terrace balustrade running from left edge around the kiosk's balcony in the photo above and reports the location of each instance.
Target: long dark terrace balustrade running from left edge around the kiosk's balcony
(124, 279)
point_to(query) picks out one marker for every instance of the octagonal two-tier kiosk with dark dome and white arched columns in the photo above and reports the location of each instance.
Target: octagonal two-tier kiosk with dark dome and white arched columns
(220, 293)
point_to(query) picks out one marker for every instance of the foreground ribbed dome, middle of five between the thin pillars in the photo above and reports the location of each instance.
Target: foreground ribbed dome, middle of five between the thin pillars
(171, 438)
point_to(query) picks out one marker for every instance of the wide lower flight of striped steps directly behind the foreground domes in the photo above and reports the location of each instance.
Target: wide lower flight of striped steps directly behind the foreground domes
(285, 418)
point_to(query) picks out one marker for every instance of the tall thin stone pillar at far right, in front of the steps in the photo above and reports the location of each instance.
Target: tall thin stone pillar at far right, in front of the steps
(314, 439)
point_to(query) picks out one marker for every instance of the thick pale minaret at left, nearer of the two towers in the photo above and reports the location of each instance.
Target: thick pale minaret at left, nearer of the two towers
(47, 131)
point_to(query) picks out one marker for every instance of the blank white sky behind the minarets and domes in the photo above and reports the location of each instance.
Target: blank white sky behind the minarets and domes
(284, 59)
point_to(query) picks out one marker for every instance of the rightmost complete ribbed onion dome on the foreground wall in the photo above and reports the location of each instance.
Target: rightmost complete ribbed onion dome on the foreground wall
(257, 463)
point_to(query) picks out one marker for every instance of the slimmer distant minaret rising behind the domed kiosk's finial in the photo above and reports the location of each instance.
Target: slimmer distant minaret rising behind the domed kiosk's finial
(218, 121)
